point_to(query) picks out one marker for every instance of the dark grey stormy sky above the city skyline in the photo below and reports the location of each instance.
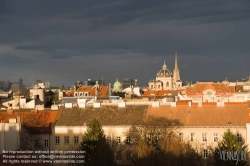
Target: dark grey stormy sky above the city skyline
(66, 41)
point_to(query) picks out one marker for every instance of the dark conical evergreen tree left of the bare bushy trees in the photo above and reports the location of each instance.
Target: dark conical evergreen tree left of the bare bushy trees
(98, 150)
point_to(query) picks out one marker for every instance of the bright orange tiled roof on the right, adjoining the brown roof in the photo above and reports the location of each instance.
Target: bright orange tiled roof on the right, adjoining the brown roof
(207, 115)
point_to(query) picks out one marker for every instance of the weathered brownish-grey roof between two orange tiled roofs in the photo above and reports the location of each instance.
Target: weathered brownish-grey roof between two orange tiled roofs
(107, 115)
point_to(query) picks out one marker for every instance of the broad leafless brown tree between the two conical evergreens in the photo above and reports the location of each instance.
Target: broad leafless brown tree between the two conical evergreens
(157, 143)
